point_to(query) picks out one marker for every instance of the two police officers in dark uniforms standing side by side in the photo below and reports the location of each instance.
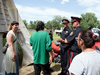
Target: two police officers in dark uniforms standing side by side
(69, 48)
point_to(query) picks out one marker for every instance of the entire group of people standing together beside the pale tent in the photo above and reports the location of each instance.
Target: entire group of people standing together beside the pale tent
(77, 55)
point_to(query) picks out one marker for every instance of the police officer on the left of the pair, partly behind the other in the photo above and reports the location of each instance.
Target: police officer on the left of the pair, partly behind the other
(63, 47)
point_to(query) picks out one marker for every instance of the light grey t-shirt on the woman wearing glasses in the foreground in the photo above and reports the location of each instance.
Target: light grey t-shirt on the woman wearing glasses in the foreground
(86, 63)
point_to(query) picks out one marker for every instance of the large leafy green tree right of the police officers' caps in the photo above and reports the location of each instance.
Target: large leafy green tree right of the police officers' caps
(88, 20)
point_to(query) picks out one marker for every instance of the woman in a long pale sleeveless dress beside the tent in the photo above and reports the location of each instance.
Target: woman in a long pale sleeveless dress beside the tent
(11, 56)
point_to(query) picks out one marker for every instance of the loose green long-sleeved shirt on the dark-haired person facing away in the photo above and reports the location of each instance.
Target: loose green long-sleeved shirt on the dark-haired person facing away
(41, 46)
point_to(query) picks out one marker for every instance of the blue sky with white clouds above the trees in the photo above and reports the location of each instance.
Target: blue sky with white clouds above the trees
(45, 10)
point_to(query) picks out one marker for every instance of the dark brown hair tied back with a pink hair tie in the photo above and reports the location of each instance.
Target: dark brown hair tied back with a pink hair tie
(89, 40)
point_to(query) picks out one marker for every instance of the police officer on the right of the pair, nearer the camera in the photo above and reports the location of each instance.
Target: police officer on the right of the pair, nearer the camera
(73, 47)
